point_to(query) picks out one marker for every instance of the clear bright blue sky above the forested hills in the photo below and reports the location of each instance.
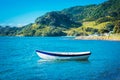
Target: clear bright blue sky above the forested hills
(22, 12)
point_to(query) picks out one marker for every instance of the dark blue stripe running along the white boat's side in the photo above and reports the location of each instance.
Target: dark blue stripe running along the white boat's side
(62, 55)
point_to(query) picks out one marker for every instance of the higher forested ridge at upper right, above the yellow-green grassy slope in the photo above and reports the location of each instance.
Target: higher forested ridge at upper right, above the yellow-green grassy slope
(109, 8)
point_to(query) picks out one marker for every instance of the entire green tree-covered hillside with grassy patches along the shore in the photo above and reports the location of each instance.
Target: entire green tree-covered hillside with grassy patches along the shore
(74, 21)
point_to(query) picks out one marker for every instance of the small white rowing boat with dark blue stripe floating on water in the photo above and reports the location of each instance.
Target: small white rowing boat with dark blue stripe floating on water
(80, 56)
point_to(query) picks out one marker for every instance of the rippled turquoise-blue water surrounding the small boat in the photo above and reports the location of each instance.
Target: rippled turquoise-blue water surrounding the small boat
(18, 60)
